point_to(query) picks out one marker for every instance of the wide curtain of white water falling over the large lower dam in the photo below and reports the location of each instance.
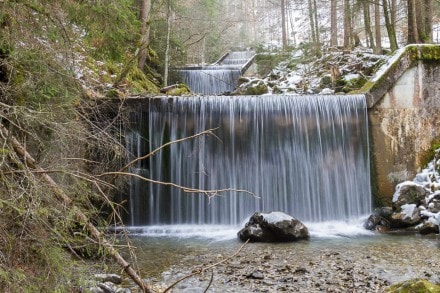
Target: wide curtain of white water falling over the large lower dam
(303, 155)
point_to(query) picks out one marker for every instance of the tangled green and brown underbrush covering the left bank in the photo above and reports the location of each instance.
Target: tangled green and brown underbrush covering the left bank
(55, 58)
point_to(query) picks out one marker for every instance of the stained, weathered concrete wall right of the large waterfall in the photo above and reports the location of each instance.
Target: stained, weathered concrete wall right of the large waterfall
(404, 120)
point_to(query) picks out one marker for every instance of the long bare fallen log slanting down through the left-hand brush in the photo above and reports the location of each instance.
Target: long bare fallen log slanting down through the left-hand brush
(20, 150)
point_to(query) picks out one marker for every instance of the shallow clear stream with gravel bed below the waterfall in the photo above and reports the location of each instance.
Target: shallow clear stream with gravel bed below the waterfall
(344, 264)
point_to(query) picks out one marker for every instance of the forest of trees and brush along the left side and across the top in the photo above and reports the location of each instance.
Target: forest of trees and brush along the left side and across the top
(61, 157)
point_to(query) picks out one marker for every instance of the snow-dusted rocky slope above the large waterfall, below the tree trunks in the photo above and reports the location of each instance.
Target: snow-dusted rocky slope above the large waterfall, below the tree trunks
(337, 71)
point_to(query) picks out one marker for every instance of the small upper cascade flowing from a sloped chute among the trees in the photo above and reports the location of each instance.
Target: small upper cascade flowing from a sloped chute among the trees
(218, 78)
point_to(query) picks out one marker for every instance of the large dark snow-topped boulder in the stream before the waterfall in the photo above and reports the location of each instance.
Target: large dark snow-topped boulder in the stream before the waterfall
(273, 227)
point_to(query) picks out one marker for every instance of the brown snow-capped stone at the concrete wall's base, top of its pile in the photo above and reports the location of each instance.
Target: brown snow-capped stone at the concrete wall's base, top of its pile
(409, 193)
